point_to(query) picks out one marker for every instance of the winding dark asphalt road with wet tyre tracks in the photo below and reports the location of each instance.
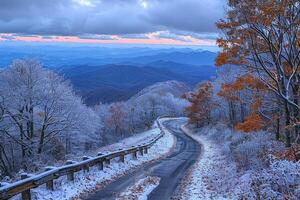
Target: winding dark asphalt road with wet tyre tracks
(171, 169)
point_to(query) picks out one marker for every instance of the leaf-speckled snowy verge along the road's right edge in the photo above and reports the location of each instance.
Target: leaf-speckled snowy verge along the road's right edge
(211, 176)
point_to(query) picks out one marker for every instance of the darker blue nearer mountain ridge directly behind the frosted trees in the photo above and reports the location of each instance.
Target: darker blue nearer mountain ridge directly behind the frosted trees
(114, 82)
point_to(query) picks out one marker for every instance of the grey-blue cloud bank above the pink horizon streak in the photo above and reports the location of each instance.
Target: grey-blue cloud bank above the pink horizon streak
(112, 17)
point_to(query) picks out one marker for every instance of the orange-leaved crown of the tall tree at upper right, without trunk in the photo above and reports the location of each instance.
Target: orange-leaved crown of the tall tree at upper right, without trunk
(245, 27)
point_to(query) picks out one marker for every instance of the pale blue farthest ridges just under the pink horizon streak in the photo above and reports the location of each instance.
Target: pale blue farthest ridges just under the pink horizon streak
(61, 56)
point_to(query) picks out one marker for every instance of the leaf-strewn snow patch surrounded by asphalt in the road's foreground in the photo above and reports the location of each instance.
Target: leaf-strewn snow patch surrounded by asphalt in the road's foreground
(141, 189)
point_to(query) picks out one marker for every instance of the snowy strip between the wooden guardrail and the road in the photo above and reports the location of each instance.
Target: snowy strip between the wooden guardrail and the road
(95, 178)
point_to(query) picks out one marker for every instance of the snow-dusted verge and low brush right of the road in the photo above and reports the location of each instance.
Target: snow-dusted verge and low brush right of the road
(239, 166)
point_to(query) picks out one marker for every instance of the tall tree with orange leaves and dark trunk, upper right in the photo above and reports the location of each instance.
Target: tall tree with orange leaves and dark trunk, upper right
(263, 37)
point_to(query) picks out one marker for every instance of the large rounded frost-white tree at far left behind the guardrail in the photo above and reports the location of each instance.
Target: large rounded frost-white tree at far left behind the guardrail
(41, 113)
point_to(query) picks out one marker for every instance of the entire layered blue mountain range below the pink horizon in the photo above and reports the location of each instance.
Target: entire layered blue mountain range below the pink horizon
(107, 74)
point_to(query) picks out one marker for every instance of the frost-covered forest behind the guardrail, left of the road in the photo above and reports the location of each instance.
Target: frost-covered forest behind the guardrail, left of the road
(43, 121)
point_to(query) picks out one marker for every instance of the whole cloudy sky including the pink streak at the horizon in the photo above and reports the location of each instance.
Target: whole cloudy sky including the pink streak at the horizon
(189, 22)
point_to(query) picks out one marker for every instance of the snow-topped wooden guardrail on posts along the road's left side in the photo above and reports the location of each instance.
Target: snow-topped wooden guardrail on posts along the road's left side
(29, 182)
